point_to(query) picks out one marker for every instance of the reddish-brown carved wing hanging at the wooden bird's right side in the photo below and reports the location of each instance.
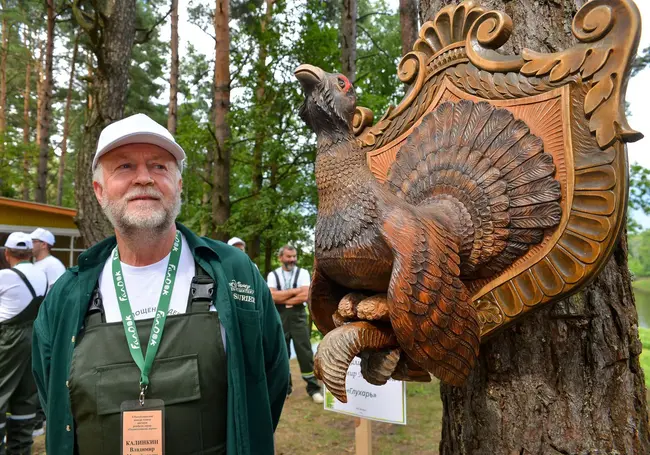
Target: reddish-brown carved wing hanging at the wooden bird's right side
(432, 314)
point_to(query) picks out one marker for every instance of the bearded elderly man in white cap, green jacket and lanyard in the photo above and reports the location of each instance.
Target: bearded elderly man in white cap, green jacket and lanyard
(214, 375)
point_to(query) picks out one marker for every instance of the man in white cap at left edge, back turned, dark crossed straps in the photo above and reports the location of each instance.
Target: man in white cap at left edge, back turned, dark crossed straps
(22, 288)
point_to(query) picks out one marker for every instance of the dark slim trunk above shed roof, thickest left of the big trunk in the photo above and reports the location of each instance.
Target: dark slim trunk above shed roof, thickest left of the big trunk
(46, 111)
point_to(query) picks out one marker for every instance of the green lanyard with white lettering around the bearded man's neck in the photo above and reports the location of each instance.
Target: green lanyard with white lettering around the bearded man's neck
(128, 319)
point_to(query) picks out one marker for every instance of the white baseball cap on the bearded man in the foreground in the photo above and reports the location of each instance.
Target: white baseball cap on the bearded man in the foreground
(137, 129)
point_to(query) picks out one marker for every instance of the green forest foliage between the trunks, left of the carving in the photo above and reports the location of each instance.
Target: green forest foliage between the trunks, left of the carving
(304, 31)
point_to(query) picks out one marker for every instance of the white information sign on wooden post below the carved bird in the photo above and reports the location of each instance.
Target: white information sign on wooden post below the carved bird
(386, 403)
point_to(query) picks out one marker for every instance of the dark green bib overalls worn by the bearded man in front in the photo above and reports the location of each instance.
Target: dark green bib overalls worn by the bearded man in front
(189, 375)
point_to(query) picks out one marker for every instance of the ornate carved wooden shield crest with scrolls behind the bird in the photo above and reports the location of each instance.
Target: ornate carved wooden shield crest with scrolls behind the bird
(572, 100)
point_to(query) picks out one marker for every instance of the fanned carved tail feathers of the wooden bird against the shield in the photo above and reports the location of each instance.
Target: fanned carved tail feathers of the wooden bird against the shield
(485, 166)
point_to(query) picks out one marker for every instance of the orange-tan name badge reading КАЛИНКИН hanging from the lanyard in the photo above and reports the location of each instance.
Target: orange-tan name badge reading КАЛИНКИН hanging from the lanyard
(143, 427)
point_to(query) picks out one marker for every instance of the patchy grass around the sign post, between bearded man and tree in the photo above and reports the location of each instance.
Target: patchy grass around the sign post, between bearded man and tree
(306, 428)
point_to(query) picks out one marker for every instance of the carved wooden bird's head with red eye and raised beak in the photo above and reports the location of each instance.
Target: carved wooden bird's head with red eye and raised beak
(330, 101)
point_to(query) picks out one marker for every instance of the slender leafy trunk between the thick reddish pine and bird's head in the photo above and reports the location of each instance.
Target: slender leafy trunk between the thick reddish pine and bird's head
(254, 244)
